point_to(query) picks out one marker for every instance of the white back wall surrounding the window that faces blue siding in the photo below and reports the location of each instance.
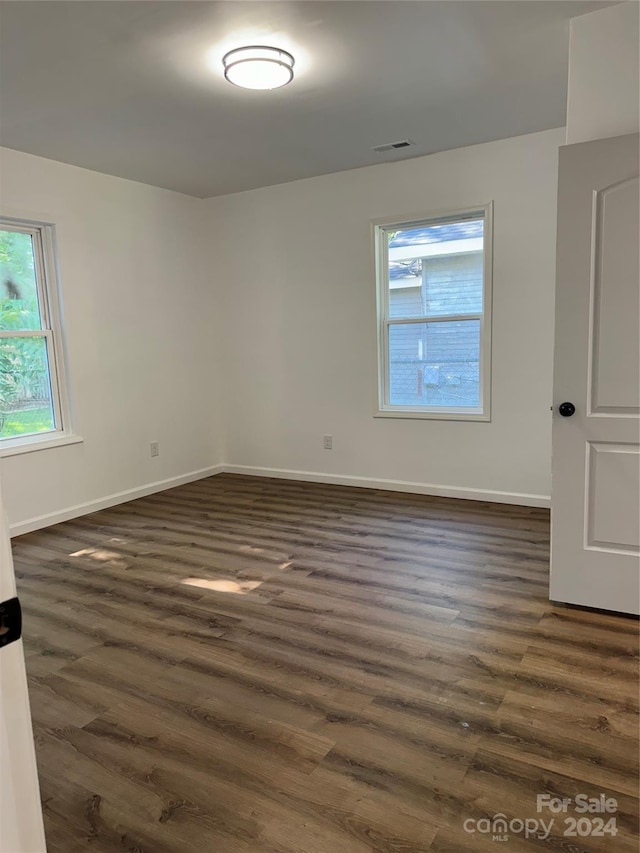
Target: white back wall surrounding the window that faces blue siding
(294, 278)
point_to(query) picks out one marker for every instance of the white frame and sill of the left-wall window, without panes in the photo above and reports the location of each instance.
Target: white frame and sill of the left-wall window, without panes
(44, 251)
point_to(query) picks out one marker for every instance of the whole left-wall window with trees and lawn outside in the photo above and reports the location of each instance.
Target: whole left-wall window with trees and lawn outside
(31, 404)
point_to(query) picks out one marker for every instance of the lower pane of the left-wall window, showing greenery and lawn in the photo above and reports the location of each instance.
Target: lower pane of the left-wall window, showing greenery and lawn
(25, 387)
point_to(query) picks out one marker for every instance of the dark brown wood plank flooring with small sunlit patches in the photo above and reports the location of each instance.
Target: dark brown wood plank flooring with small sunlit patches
(244, 665)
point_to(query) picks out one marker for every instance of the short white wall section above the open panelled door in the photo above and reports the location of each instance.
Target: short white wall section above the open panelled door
(604, 67)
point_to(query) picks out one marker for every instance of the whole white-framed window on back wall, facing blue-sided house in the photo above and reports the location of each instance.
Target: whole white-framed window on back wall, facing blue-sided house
(434, 315)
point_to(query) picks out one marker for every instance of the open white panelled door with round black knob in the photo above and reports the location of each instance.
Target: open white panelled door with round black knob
(595, 538)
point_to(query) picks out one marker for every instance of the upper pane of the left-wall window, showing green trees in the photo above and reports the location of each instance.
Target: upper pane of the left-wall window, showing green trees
(19, 308)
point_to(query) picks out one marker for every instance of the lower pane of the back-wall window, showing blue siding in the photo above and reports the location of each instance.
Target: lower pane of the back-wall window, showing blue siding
(435, 364)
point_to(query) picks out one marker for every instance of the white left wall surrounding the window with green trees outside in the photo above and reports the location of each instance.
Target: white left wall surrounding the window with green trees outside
(140, 331)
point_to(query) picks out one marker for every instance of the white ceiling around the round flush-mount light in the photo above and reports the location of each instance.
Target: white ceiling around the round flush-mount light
(125, 87)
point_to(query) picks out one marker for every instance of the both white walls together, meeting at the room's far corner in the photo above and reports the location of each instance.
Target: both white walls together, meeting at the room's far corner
(277, 285)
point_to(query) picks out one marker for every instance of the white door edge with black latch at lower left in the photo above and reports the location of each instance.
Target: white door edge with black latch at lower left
(21, 829)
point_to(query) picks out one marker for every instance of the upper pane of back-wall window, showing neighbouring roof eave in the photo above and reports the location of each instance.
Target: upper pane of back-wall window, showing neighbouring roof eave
(436, 269)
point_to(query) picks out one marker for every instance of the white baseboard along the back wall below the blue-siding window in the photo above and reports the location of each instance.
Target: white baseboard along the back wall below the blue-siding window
(517, 498)
